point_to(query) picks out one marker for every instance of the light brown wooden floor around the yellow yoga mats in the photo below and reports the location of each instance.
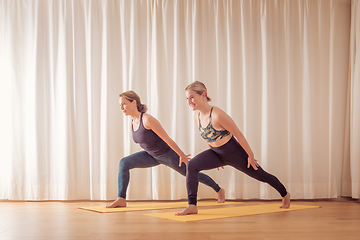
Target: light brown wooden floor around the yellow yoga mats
(63, 220)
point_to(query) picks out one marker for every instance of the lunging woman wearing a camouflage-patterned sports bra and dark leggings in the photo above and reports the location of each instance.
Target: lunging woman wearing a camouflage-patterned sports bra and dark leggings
(228, 146)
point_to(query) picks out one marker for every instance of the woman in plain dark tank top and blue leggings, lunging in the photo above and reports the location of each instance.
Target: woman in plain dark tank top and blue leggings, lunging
(158, 147)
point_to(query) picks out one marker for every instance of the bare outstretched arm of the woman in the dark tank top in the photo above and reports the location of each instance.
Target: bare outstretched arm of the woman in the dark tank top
(152, 123)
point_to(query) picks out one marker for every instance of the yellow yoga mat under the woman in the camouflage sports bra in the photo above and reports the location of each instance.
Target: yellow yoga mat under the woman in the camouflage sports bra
(207, 214)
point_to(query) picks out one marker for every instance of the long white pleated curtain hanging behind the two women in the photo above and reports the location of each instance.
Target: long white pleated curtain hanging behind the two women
(279, 68)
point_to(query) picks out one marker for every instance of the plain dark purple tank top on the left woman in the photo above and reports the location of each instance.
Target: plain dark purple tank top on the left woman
(149, 140)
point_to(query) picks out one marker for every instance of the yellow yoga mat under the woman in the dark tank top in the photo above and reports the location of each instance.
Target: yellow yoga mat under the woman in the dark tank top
(153, 206)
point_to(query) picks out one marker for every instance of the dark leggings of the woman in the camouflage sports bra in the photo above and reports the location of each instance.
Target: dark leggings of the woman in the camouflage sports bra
(231, 153)
